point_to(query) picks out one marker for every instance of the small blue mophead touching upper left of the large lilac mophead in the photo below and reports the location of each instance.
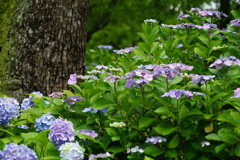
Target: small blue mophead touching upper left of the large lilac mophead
(44, 122)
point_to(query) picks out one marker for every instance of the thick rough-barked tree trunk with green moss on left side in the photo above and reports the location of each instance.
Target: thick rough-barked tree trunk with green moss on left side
(48, 44)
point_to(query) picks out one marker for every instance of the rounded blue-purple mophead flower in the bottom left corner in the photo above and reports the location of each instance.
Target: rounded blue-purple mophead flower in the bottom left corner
(14, 151)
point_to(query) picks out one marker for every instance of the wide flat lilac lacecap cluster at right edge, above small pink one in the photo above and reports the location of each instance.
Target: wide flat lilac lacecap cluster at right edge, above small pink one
(225, 61)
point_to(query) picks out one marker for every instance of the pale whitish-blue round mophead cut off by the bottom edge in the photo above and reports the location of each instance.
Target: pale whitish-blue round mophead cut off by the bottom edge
(71, 151)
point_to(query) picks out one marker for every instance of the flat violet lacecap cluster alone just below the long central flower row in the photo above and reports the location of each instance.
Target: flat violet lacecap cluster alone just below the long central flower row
(177, 93)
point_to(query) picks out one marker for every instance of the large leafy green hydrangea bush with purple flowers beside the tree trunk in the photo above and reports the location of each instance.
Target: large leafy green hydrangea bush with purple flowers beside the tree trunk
(174, 96)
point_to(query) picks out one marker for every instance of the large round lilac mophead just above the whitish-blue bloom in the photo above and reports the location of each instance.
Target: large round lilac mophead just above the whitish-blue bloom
(61, 131)
